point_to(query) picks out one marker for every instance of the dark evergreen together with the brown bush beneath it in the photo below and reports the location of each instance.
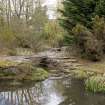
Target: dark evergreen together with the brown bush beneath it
(87, 16)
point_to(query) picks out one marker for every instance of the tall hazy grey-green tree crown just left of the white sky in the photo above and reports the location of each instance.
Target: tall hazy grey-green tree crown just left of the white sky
(39, 18)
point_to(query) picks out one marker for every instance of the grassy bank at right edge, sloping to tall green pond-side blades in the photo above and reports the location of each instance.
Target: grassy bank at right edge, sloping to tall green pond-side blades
(94, 78)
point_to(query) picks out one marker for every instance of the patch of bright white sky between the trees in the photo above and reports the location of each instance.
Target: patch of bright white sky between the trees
(51, 5)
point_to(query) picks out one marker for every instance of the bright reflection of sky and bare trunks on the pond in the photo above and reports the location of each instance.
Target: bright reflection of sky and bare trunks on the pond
(40, 94)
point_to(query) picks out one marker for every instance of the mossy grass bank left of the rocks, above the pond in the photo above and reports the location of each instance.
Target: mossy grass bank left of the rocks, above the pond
(21, 72)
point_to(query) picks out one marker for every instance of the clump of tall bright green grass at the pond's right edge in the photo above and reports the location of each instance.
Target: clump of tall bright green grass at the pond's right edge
(96, 84)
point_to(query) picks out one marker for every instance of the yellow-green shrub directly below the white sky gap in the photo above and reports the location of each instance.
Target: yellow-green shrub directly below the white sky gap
(54, 33)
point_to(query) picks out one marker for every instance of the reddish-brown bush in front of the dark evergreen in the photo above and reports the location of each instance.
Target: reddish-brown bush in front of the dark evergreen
(91, 42)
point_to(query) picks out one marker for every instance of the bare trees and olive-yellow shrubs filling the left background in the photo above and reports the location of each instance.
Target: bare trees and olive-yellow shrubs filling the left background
(24, 28)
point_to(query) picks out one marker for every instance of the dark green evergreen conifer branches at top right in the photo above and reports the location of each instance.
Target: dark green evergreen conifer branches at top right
(81, 11)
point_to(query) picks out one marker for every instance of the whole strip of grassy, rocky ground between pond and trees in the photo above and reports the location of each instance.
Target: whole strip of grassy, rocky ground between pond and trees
(54, 63)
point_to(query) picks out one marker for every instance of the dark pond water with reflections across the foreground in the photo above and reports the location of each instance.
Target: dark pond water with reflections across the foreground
(50, 92)
